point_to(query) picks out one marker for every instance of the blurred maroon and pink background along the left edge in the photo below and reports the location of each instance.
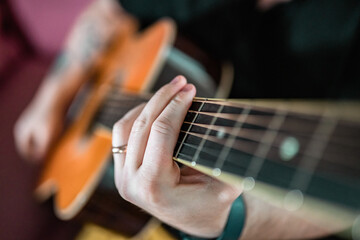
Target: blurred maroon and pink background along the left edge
(31, 33)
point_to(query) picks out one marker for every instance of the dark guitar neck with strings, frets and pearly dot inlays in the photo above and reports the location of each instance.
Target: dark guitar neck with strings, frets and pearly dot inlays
(298, 146)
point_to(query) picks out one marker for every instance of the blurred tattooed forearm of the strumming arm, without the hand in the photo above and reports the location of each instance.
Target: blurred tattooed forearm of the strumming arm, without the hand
(85, 44)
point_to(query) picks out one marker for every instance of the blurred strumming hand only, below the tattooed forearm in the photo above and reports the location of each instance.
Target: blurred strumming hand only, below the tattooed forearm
(36, 129)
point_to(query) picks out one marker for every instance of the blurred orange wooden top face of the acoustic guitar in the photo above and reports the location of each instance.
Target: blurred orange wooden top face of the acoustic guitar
(76, 164)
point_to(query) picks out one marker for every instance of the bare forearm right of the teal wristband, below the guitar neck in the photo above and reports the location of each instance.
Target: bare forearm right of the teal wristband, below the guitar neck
(265, 221)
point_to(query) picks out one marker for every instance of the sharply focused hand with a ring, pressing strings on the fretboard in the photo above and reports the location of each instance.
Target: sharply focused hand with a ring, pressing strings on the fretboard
(148, 177)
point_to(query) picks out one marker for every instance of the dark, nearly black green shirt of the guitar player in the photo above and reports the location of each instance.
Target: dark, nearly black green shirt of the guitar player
(305, 48)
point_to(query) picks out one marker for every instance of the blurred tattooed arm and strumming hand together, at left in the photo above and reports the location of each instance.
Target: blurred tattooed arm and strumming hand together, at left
(41, 122)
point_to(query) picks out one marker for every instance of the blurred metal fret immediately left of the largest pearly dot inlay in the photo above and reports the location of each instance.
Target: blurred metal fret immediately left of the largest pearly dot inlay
(265, 144)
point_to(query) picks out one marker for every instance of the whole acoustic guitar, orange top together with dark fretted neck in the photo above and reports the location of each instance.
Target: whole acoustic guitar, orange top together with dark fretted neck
(300, 155)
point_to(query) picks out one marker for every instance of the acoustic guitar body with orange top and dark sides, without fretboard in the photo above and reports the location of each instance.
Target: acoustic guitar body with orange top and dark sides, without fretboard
(137, 63)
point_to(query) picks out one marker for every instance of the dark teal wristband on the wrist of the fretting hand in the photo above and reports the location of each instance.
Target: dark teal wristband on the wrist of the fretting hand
(234, 225)
